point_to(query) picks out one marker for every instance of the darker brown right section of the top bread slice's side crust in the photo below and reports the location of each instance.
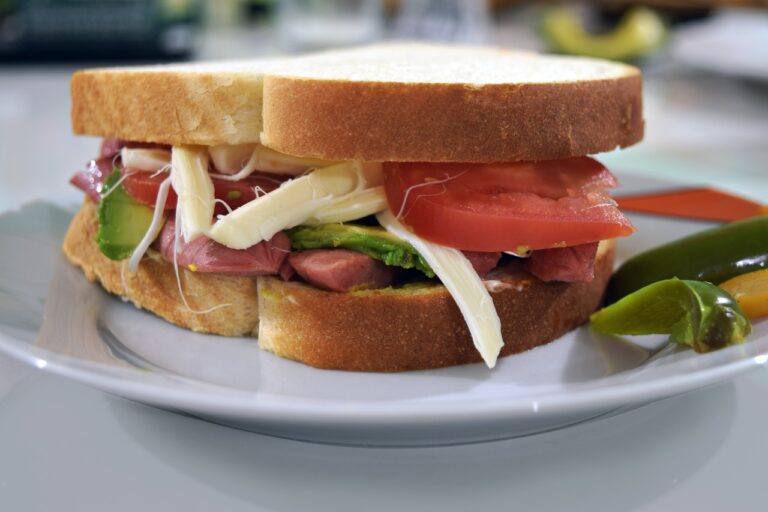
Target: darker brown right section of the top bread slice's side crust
(351, 120)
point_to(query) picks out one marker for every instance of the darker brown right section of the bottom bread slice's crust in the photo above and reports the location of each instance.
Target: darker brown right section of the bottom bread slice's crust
(393, 330)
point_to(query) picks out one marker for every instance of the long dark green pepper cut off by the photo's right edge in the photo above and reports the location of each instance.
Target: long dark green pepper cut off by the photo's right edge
(714, 255)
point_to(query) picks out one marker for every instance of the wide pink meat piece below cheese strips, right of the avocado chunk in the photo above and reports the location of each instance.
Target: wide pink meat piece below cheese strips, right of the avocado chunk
(206, 255)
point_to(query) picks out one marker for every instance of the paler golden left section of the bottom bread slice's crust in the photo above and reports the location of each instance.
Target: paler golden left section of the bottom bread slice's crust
(153, 286)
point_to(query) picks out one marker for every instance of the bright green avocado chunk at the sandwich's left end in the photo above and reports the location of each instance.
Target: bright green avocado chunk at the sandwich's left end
(123, 221)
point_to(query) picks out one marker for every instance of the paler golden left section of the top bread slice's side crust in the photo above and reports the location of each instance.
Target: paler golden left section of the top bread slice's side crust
(167, 107)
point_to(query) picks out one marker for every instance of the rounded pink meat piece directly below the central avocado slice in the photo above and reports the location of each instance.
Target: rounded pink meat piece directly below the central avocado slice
(341, 270)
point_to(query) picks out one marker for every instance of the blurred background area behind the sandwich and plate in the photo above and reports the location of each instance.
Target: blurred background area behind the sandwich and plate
(705, 63)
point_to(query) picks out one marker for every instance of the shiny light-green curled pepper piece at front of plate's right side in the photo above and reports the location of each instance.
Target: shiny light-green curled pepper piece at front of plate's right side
(693, 313)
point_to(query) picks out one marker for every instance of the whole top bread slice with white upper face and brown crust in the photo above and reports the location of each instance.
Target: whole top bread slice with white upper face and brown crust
(395, 102)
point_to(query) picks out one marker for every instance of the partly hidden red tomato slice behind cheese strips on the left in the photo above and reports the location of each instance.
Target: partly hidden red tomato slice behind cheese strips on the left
(143, 187)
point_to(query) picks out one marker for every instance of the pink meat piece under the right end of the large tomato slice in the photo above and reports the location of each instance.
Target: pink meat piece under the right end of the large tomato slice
(568, 264)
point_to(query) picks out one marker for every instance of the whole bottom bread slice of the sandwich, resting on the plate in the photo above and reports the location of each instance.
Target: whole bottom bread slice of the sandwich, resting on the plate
(412, 327)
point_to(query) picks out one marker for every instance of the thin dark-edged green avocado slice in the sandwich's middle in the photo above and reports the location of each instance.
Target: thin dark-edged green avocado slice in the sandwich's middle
(373, 241)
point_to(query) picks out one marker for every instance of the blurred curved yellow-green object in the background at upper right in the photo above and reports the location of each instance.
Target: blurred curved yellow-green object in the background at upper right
(639, 32)
